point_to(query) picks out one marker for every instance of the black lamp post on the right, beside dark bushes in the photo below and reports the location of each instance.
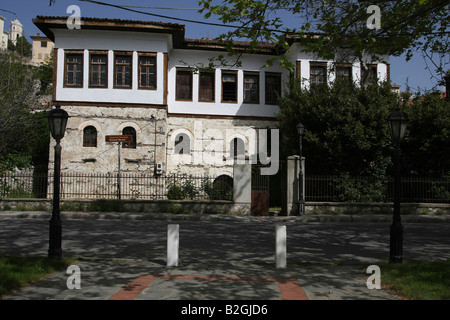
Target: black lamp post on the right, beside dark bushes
(398, 121)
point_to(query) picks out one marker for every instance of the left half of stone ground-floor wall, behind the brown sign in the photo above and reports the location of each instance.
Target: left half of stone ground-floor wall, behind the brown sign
(150, 125)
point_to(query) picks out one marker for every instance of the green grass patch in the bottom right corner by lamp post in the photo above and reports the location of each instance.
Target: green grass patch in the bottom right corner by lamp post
(424, 280)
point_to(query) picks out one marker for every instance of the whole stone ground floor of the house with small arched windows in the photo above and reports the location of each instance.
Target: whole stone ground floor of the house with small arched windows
(162, 143)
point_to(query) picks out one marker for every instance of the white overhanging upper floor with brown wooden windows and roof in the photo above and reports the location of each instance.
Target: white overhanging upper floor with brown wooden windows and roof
(150, 63)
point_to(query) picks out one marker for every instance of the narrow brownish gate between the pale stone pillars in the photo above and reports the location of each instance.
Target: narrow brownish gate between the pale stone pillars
(260, 192)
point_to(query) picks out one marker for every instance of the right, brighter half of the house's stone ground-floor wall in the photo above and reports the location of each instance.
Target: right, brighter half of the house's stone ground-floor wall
(210, 143)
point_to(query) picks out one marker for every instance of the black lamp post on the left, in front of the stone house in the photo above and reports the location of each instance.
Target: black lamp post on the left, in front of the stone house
(57, 119)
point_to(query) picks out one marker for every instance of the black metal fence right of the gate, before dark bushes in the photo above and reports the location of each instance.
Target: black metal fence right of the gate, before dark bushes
(369, 189)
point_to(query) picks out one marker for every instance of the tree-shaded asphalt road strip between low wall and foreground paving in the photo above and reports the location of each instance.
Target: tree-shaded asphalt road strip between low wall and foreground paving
(231, 241)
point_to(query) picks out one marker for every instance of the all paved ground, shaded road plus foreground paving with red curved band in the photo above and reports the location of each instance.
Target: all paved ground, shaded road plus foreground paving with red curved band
(328, 259)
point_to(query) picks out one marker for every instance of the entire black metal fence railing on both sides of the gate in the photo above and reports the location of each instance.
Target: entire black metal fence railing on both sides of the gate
(179, 187)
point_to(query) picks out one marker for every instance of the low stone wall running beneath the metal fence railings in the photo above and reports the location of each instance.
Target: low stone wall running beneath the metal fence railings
(220, 207)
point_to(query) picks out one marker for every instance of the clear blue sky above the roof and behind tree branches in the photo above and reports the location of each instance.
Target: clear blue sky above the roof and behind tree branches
(413, 72)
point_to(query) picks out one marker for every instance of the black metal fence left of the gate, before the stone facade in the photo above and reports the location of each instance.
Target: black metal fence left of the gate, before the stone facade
(106, 186)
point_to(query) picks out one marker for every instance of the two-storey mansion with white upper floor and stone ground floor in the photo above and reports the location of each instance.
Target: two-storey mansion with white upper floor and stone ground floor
(145, 79)
